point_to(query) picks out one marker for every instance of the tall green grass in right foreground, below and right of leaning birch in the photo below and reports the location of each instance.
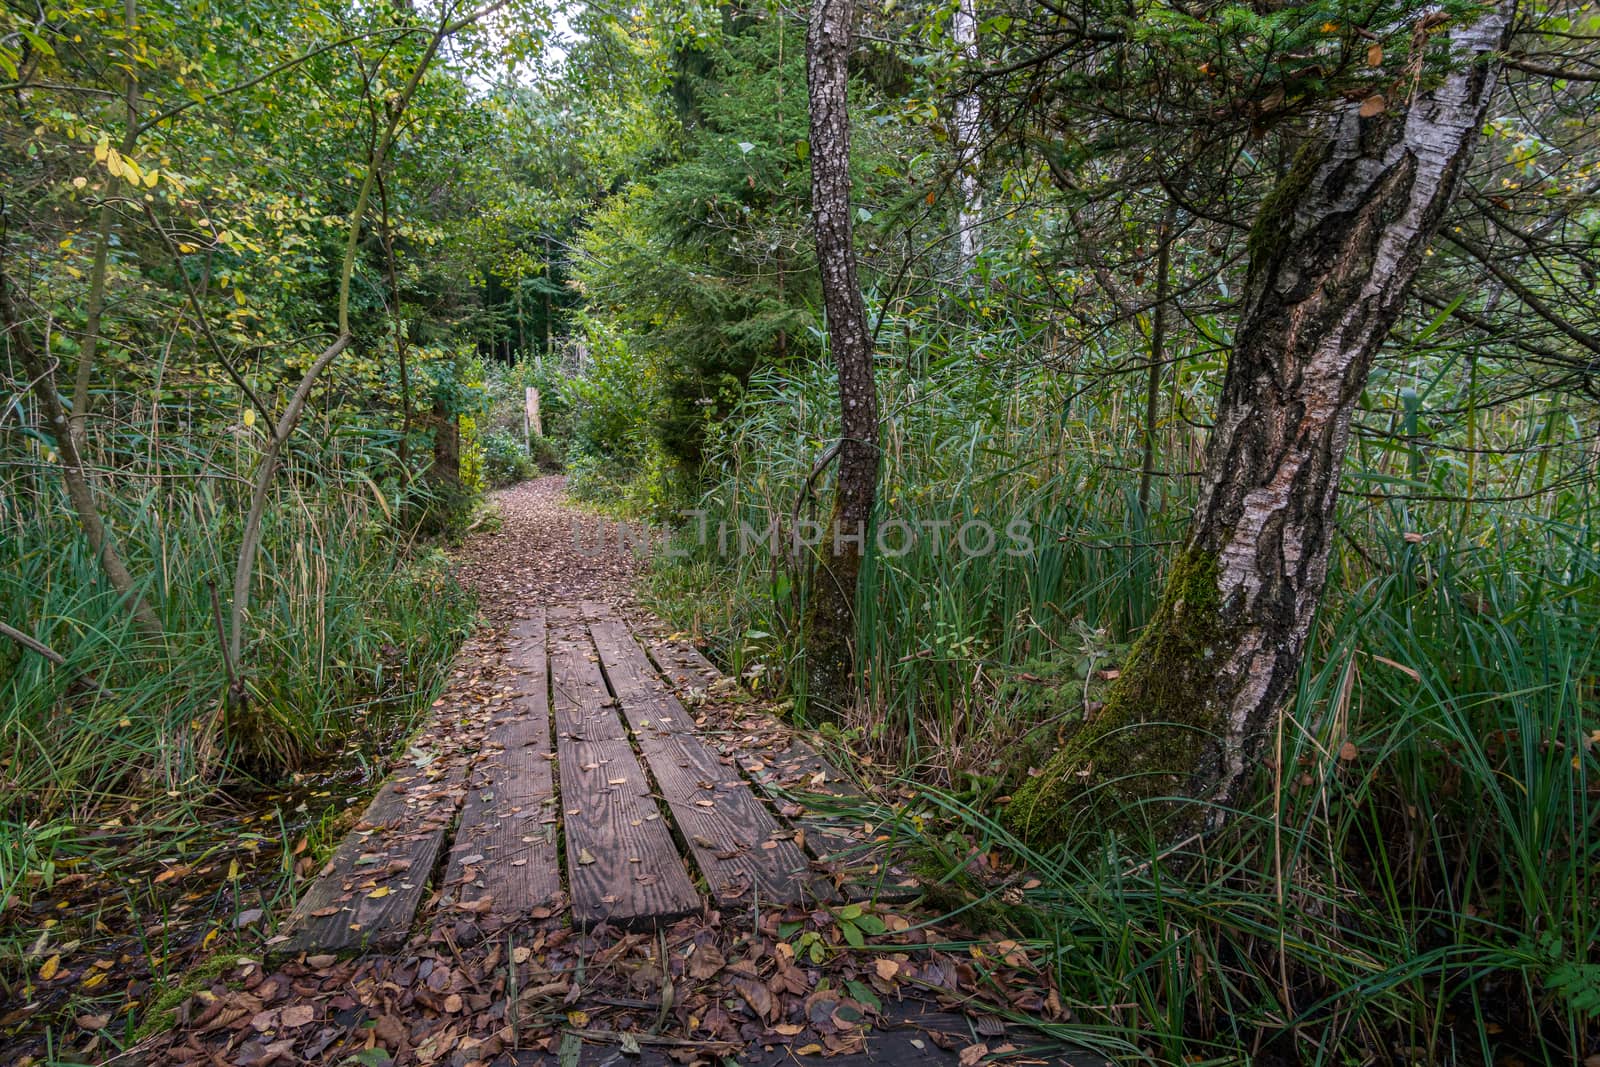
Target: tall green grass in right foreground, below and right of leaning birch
(1428, 895)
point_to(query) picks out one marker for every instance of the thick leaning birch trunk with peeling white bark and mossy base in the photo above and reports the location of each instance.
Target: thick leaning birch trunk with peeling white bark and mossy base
(1332, 258)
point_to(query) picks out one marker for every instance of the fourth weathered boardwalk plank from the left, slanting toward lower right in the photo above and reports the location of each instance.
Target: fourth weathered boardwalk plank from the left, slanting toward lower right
(737, 842)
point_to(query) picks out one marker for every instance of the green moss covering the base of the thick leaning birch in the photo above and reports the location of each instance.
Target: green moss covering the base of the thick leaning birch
(1158, 732)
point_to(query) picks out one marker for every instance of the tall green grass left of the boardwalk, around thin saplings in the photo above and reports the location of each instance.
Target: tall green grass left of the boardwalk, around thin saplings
(348, 634)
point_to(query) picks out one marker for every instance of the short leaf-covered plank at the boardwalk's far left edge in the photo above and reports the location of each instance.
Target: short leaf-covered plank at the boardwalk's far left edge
(372, 887)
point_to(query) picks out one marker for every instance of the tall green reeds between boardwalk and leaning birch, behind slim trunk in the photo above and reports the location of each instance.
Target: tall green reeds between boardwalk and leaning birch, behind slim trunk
(951, 642)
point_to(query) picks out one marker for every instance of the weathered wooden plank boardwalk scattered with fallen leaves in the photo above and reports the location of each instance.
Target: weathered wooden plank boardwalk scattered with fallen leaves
(593, 786)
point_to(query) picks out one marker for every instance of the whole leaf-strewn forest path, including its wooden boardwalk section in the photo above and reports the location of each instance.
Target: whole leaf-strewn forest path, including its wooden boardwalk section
(604, 853)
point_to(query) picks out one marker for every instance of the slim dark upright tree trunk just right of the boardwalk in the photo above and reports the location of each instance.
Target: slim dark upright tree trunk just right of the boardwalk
(833, 602)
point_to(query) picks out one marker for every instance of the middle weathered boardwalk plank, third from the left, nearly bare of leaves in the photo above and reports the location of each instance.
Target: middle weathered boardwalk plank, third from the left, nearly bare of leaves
(622, 863)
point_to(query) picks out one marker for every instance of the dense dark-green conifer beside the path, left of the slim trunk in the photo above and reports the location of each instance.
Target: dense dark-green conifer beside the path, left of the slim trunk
(703, 266)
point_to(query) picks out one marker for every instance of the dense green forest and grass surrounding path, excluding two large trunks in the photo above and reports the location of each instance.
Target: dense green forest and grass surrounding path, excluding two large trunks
(276, 278)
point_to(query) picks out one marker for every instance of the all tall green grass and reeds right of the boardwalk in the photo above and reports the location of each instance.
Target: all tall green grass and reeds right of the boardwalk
(1417, 868)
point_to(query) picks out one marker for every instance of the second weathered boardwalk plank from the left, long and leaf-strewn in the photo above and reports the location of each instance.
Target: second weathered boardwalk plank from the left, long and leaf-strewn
(505, 858)
